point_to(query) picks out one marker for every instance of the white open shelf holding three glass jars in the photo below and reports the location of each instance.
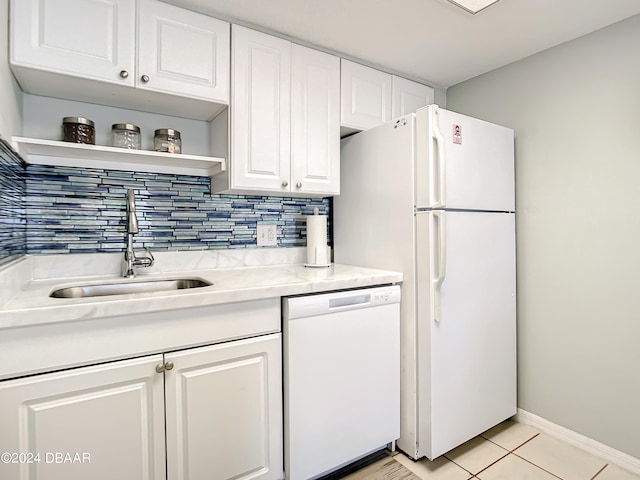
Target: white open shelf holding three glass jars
(51, 152)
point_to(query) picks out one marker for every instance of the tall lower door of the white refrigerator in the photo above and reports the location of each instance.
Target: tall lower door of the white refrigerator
(466, 326)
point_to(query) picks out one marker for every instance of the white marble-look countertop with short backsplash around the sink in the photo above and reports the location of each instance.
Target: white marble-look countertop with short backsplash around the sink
(242, 278)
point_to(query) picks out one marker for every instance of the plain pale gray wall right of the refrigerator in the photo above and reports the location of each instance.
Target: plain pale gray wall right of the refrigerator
(576, 113)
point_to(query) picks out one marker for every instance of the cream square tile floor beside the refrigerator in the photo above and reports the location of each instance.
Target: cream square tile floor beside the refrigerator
(514, 451)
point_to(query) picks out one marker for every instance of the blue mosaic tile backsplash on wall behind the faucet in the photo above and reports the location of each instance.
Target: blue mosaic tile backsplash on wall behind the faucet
(78, 210)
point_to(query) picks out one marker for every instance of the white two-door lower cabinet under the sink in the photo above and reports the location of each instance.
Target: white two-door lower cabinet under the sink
(222, 405)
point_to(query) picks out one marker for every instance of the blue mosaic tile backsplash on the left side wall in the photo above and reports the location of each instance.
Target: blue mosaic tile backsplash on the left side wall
(12, 214)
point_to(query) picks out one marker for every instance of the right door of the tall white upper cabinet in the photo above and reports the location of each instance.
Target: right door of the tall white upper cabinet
(315, 122)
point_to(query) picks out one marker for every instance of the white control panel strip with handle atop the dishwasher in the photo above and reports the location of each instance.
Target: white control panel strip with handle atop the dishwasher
(328, 303)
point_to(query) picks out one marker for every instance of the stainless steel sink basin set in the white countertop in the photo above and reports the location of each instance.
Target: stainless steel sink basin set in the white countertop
(123, 288)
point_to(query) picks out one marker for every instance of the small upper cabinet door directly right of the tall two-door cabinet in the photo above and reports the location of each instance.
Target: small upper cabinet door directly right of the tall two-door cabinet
(366, 96)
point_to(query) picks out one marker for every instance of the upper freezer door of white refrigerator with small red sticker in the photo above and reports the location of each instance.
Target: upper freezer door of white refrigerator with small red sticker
(463, 163)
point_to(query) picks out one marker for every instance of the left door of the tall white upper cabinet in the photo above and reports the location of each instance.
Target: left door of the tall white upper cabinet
(261, 116)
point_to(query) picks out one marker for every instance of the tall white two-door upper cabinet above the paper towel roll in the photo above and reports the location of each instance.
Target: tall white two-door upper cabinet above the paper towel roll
(285, 123)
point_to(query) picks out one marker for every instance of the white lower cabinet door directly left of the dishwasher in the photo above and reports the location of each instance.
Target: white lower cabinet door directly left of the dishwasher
(224, 411)
